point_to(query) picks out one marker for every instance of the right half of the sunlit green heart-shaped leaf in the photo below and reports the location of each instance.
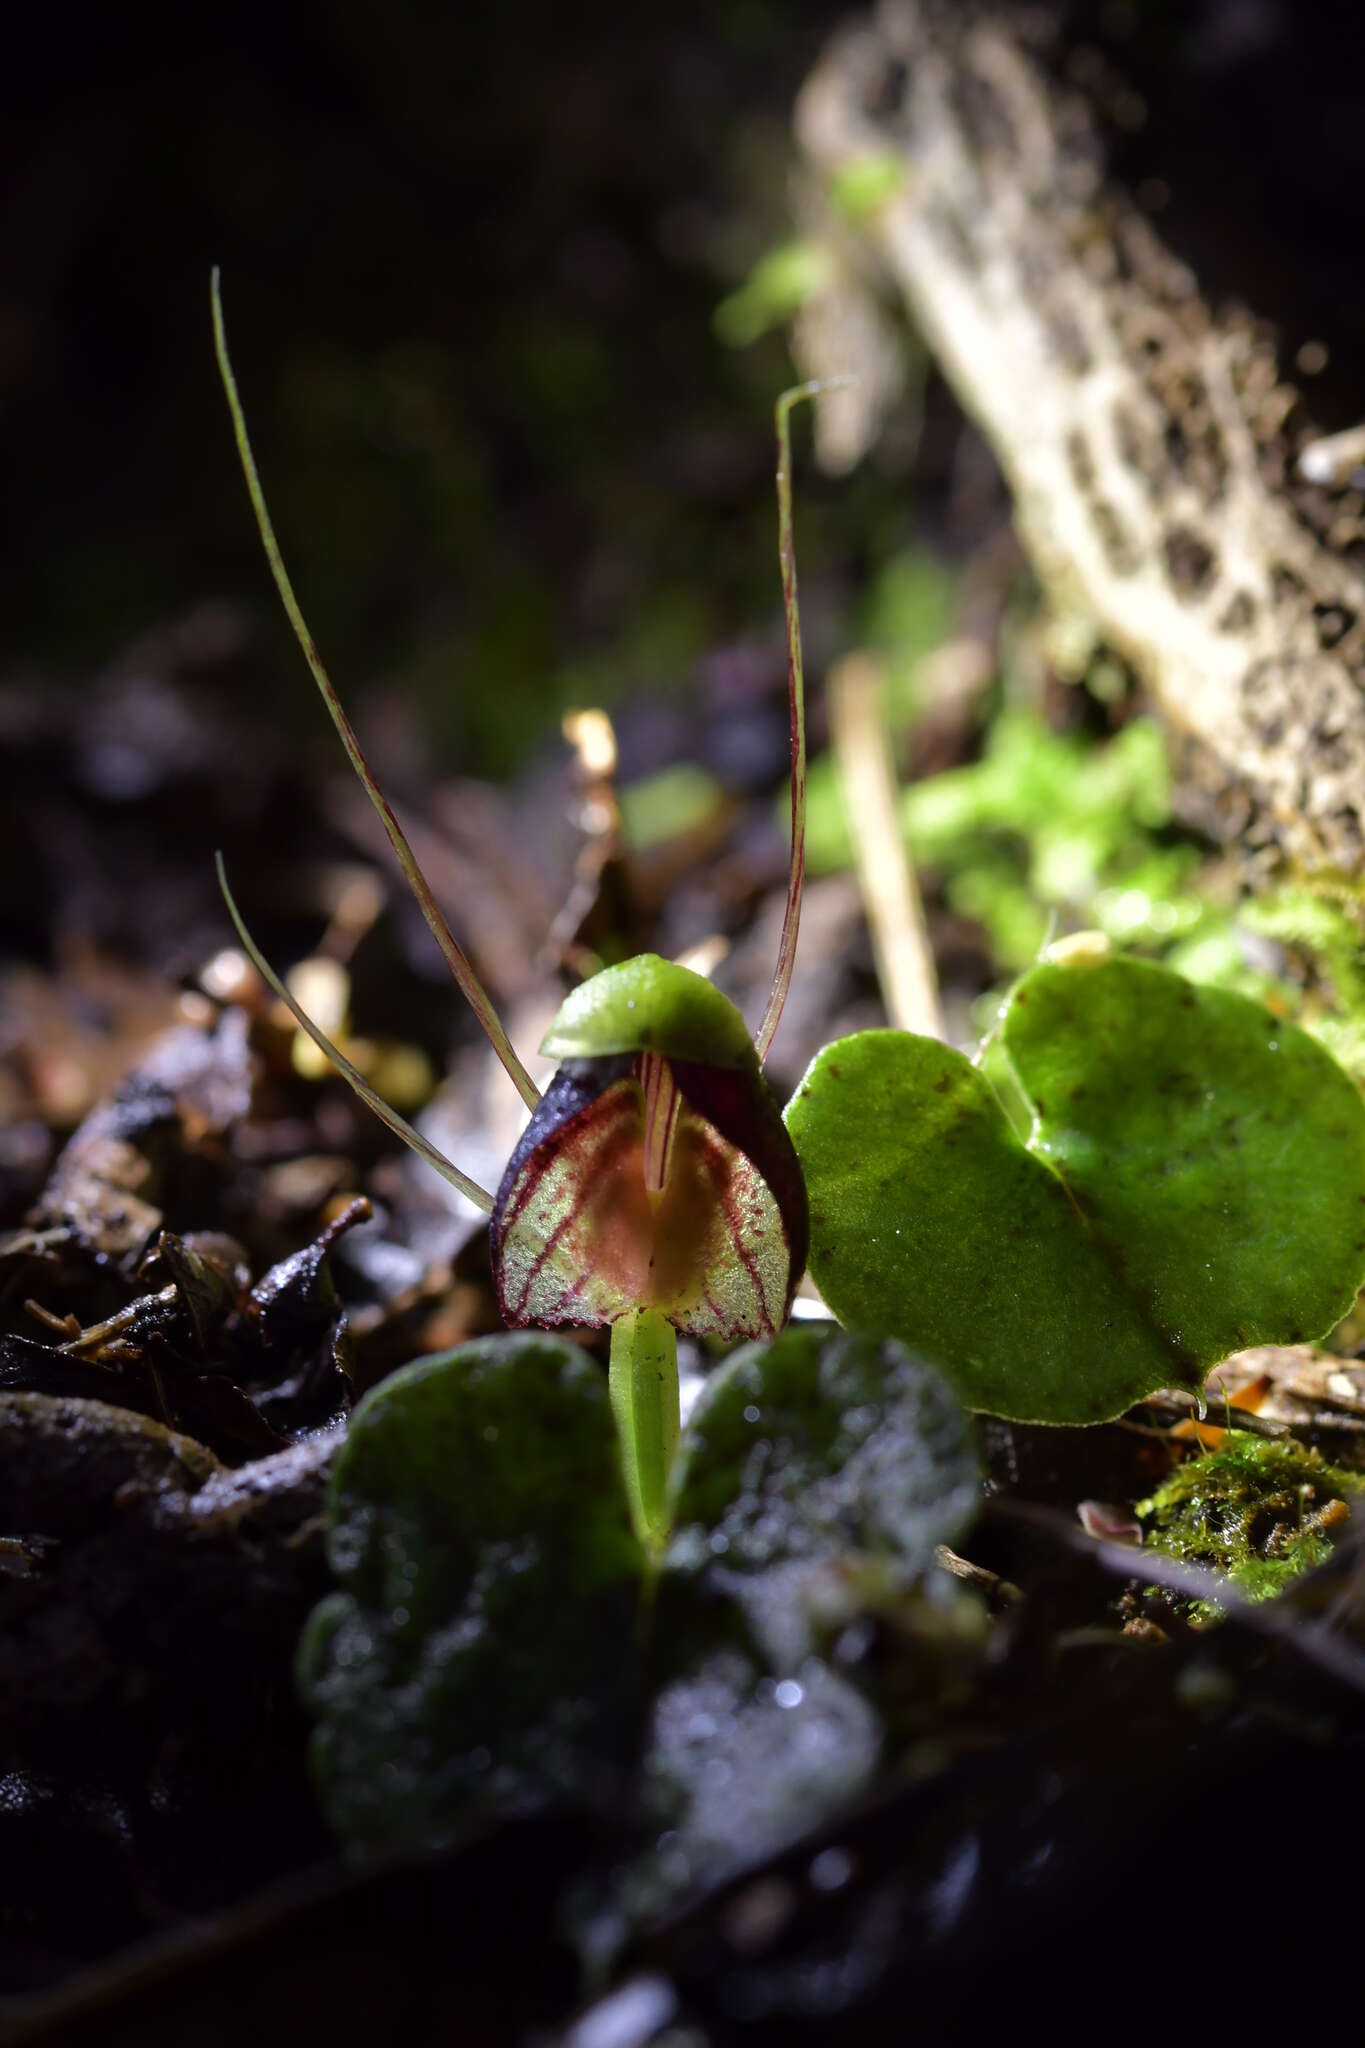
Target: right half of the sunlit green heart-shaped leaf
(1213, 1148)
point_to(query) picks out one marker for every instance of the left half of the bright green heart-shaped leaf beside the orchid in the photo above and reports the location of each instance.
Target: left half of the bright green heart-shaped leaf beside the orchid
(932, 1222)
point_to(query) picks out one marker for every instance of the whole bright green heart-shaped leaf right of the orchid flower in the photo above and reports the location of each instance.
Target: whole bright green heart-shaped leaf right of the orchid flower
(1194, 1185)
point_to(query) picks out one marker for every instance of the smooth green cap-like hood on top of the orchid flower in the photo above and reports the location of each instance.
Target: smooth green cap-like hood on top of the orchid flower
(652, 1007)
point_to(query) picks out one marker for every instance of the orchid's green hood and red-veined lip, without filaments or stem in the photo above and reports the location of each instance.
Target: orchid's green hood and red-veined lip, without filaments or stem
(656, 1172)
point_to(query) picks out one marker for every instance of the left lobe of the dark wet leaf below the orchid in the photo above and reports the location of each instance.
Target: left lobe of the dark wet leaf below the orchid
(478, 1654)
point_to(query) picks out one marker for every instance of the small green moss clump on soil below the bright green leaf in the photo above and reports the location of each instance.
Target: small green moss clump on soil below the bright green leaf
(1258, 1510)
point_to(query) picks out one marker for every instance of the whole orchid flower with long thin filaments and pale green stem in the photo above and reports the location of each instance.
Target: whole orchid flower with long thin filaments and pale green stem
(656, 1189)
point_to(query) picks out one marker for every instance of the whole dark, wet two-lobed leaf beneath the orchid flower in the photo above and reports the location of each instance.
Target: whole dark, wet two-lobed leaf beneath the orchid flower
(498, 1641)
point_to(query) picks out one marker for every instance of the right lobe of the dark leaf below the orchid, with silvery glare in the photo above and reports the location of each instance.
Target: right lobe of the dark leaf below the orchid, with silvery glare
(816, 1480)
